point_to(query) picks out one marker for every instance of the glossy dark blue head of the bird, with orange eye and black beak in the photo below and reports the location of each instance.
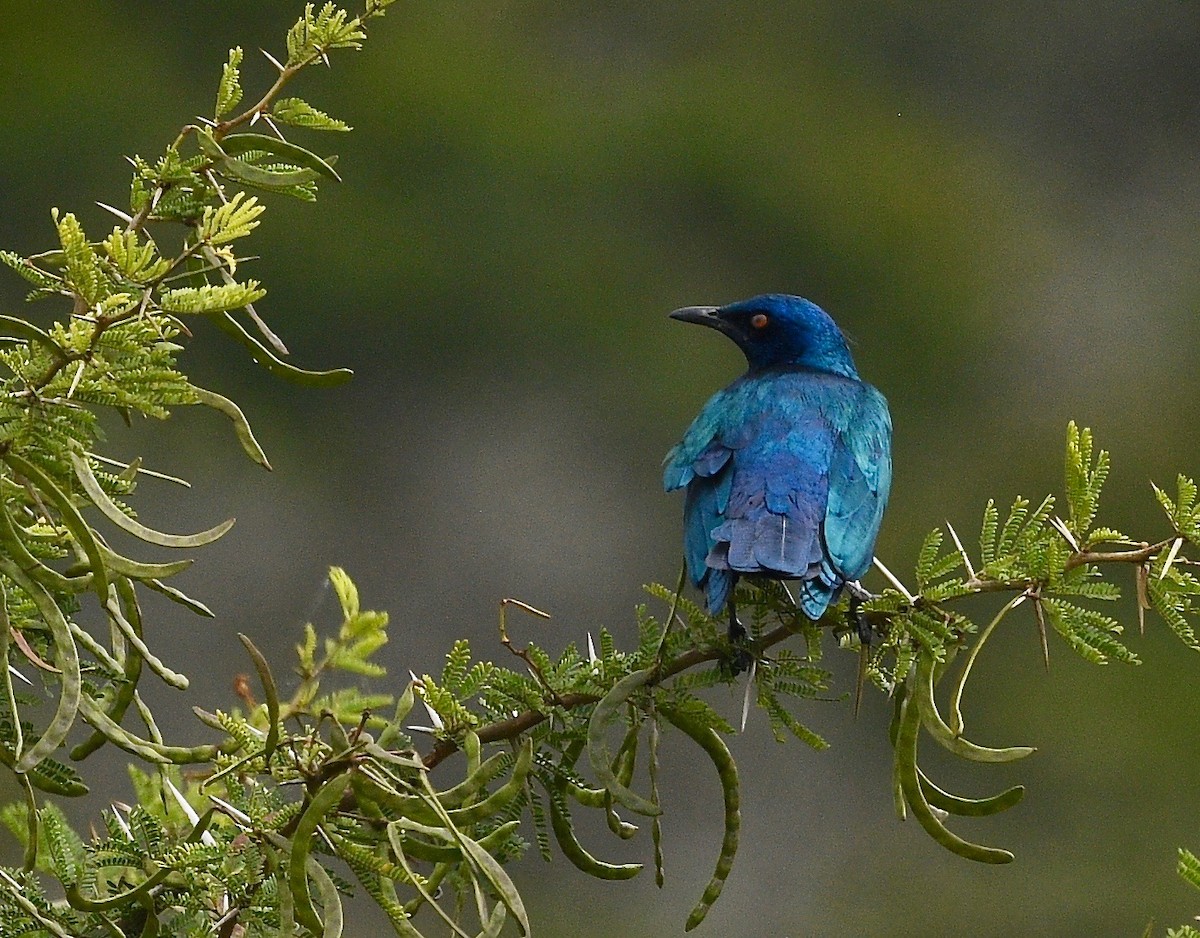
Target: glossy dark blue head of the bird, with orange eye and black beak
(778, 329)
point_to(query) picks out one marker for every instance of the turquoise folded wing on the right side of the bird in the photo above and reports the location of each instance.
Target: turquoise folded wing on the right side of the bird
(860, 479)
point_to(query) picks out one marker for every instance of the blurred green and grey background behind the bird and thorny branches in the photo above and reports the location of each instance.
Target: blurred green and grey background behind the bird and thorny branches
(998, 202)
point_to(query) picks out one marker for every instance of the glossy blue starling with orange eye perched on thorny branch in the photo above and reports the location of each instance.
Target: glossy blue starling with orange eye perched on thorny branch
(788, 470)
